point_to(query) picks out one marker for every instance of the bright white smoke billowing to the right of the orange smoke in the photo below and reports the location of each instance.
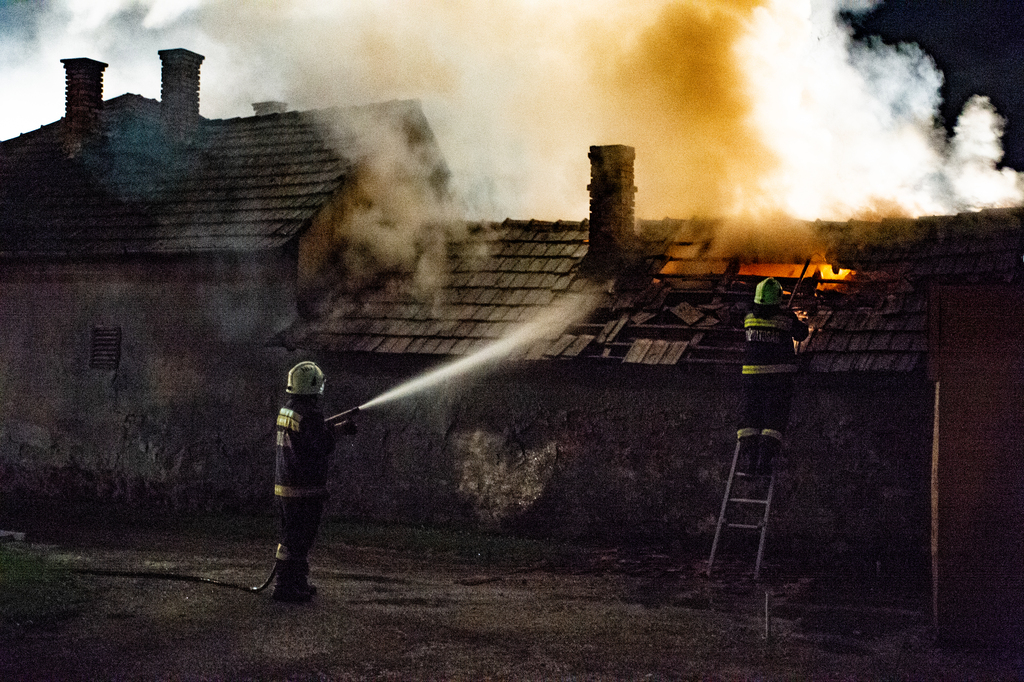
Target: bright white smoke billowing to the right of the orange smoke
(856, 125)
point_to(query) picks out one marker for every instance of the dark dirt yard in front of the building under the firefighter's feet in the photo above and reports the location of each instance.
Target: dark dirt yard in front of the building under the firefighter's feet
(392, 615)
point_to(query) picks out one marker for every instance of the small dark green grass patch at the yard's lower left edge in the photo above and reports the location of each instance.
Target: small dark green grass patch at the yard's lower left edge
(35, 592)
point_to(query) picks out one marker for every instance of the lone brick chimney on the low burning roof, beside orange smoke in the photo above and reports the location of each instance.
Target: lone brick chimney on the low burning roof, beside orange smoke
(613, 238)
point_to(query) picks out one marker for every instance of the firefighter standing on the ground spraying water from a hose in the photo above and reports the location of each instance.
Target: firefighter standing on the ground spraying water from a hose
(305, 444)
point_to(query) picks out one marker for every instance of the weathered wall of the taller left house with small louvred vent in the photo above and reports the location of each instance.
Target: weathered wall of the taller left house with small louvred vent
(182, 422)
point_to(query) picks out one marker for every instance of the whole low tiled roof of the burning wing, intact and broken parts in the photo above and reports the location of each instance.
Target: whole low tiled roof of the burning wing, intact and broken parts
(865, 300)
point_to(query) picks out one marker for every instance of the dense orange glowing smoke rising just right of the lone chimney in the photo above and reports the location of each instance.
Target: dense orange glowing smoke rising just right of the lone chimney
(678, 95)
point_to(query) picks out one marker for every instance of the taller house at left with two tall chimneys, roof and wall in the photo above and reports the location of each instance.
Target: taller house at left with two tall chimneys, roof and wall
(147, 258)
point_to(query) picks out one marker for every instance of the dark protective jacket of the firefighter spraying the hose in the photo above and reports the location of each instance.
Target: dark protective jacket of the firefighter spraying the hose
(305, 445)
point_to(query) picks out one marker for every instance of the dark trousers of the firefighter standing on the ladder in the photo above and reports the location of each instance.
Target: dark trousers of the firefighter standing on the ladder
(767, 399)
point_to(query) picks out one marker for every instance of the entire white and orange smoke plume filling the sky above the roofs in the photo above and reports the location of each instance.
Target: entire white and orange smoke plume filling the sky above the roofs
(737, 108)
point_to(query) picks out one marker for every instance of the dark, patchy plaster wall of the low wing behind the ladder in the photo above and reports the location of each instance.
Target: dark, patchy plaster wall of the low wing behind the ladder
(637, 453)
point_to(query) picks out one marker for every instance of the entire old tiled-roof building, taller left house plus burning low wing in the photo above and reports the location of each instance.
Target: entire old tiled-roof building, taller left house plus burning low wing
(162, 272)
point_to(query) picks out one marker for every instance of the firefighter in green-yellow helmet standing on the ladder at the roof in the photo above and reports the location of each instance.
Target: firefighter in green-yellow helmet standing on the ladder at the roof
(770, 367)
